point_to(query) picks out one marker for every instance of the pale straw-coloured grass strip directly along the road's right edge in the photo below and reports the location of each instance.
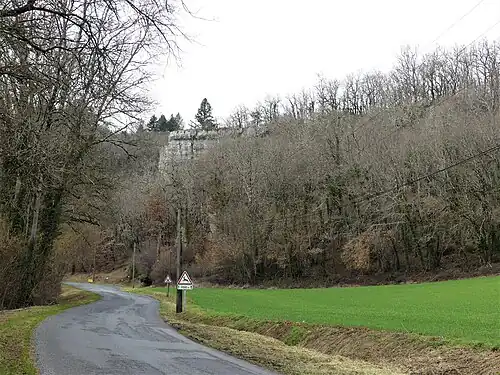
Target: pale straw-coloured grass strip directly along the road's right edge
(246, 343)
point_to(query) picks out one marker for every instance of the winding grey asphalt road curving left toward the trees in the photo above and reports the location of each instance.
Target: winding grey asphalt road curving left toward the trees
(123, 334)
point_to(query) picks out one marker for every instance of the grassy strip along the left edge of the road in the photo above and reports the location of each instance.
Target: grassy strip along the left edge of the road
(17, 326)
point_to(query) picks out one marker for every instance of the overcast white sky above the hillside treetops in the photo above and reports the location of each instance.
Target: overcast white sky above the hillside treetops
(260, 47)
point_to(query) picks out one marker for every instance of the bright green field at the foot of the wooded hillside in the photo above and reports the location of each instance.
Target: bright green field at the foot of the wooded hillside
(466, 310)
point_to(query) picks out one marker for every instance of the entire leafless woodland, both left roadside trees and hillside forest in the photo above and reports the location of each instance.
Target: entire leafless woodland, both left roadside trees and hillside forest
(381, 173)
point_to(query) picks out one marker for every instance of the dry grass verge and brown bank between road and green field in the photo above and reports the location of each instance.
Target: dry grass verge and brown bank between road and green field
(297, 348)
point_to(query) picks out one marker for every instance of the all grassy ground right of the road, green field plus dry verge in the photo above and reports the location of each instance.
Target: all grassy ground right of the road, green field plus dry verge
(433, 328)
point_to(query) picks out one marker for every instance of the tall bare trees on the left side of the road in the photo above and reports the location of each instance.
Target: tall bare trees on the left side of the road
(73, 76)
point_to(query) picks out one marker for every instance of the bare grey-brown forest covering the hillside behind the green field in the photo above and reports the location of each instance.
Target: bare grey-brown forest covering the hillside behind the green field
(382, 176)
